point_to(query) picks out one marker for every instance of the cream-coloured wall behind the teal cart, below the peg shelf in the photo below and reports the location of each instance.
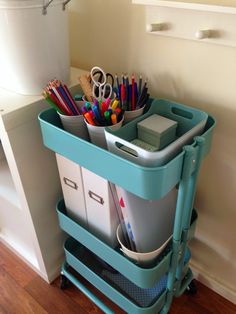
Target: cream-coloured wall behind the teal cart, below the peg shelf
(111, 34)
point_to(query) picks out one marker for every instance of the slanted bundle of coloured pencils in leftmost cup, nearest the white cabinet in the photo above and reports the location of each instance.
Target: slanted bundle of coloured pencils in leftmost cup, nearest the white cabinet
(59, 98)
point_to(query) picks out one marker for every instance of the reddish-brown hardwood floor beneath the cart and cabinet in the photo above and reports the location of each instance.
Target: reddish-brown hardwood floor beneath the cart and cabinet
(22, 291)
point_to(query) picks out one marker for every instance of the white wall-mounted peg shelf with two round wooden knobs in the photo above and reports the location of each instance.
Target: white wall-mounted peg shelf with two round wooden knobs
(187, 20)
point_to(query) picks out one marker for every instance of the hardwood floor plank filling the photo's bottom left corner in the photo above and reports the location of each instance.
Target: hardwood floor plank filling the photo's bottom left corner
(14, 299)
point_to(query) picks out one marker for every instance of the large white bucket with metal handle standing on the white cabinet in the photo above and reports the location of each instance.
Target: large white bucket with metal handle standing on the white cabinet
(34, 47)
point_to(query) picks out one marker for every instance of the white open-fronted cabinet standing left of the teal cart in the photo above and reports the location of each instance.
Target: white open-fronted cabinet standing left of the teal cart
(29, 184)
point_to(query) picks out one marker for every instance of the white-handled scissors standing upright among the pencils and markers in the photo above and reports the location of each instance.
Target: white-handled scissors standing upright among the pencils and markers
(101, 88)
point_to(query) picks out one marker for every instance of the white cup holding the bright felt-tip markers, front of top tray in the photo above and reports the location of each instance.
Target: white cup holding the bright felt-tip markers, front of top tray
(97, 133)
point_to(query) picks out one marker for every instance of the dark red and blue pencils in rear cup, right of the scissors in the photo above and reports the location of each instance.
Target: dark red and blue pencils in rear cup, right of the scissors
(131, 95)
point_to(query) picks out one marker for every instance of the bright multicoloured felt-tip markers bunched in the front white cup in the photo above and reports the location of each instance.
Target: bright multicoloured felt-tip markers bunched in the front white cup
(102, 113)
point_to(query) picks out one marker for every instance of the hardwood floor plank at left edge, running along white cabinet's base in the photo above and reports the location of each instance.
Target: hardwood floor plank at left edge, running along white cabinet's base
(14, 266)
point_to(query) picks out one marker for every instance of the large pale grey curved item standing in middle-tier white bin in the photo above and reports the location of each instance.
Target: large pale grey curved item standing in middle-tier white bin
(151, 221)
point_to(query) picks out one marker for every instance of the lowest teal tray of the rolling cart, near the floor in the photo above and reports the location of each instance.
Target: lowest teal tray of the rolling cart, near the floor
(112, 284)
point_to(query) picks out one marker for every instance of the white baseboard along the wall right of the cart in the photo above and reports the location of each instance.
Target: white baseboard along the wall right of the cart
(206, 279)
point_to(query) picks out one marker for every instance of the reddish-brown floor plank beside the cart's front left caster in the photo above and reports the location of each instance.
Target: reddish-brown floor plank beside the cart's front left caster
(52, 298)
